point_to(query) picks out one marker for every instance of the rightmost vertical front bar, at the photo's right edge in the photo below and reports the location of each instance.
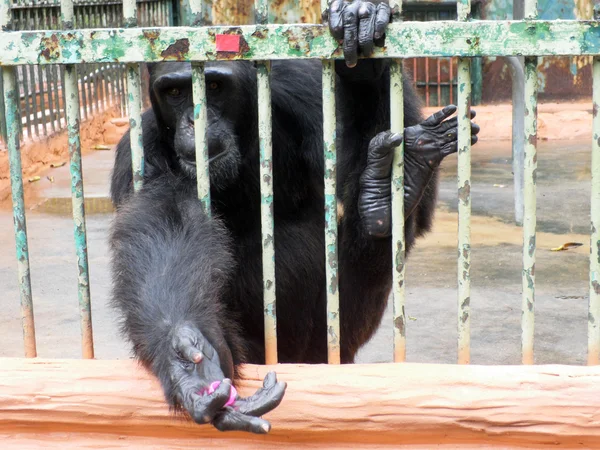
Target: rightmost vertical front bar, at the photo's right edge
(594, 305)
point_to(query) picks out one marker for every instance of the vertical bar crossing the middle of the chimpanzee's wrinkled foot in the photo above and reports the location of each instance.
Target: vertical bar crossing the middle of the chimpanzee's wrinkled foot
(398, 238)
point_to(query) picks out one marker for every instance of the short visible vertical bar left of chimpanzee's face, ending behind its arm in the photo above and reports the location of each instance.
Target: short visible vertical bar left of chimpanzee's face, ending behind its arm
(134, 93)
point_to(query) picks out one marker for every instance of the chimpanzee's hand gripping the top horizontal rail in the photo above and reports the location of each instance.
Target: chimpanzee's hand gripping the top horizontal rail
(360, 25)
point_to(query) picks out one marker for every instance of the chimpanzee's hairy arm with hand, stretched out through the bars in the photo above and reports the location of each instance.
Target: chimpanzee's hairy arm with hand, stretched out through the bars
(170, 264)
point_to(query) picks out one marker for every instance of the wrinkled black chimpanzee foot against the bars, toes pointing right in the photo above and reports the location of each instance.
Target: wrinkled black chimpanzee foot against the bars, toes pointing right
(425, 146)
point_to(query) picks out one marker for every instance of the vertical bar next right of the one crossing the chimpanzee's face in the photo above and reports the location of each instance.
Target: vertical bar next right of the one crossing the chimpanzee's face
(261, 8)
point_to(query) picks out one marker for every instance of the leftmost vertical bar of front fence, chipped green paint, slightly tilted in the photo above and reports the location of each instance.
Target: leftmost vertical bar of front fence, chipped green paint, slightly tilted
(11, 99)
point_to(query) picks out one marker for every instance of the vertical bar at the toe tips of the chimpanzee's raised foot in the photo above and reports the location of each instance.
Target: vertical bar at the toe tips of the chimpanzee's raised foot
(464, 210)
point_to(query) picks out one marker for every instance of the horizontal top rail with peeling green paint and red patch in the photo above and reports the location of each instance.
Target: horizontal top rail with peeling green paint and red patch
(268, 42)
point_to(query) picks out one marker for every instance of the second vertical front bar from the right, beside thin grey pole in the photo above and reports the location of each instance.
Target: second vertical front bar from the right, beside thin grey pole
(529, 216)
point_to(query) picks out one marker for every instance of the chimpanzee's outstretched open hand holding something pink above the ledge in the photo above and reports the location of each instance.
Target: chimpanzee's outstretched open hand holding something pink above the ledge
(194, 365)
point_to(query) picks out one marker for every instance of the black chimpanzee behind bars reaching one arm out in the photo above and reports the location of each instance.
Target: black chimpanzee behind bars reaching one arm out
(189, 286)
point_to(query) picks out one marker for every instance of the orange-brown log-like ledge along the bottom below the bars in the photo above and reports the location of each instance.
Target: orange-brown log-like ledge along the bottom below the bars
(101, 403)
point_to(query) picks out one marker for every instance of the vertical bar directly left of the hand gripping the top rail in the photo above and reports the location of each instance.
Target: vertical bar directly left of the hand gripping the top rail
(331, 249)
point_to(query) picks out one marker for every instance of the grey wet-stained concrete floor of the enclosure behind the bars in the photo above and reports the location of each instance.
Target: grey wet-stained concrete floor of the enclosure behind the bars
(562, 277)
